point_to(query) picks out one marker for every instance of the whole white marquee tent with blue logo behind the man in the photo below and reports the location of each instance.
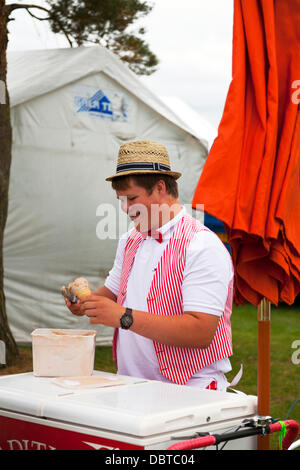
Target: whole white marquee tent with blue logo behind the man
(71, 109)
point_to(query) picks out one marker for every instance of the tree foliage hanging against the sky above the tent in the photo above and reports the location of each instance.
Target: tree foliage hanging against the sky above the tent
(106, 22)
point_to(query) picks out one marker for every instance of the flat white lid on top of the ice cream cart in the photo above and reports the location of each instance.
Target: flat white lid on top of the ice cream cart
(138, 408)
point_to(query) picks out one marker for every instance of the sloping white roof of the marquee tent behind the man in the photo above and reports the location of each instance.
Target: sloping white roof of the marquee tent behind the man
(36, 72)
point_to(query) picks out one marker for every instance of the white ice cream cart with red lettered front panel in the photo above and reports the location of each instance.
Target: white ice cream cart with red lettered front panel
(127, 413)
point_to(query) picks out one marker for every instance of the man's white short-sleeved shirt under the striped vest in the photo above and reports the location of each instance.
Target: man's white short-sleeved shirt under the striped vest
(207, 274)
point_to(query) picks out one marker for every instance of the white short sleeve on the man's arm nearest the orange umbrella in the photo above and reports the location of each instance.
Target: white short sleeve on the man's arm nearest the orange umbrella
(207, 274)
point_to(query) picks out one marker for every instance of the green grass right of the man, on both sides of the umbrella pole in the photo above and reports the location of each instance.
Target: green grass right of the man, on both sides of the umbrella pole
(285, 375)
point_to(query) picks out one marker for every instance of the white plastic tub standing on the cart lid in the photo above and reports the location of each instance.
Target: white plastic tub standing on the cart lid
(63, 353)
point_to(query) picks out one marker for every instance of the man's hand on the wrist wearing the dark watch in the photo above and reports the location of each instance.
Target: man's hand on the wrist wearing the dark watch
(101, 310)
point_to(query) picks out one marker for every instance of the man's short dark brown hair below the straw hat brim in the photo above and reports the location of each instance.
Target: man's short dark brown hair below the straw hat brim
(120, 183)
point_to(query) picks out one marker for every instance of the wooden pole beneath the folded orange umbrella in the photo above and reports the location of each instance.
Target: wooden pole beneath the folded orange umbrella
(263, 366)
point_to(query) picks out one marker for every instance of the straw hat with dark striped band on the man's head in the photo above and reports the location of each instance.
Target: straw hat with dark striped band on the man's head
(143, 157)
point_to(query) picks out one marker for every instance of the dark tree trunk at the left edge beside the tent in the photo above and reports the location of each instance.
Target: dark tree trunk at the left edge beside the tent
(5, 160)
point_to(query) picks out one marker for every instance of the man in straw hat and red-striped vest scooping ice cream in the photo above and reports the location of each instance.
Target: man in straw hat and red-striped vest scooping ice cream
(169, 293)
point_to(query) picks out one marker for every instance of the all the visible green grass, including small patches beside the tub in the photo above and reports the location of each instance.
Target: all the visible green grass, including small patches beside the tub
(285, 375)
